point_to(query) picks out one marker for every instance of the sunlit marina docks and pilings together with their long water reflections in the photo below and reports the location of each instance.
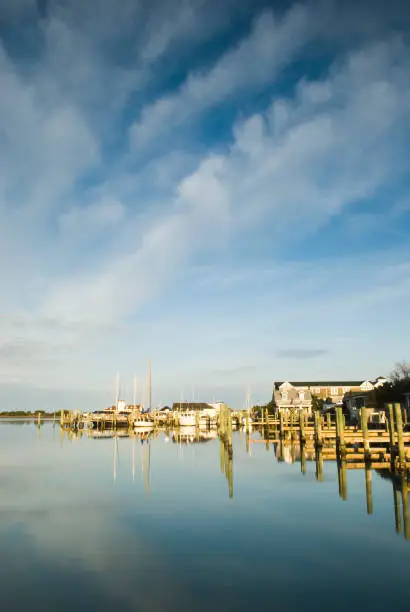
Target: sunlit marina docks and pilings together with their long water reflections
(382, 444)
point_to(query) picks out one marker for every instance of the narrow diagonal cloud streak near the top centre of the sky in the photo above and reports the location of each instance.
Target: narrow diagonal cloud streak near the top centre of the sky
(256, 60)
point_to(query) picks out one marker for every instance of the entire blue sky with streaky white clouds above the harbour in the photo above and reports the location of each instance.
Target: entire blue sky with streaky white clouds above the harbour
(220, 186)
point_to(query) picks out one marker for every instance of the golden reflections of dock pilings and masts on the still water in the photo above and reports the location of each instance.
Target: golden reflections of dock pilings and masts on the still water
(286, 449)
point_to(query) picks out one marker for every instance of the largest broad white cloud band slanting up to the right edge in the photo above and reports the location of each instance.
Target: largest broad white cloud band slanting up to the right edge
(329, 152)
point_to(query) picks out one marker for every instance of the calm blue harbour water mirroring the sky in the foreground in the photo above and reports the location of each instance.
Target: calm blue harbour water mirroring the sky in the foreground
(118, 524)
